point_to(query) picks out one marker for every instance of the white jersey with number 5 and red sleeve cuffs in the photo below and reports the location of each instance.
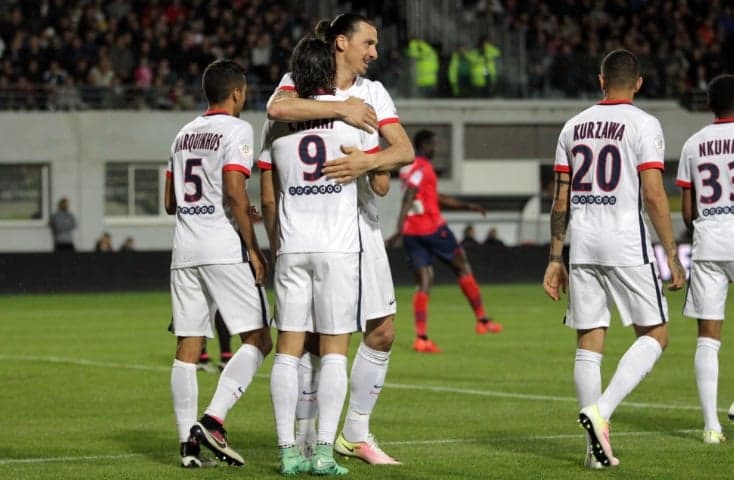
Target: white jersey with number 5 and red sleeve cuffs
(205, 231)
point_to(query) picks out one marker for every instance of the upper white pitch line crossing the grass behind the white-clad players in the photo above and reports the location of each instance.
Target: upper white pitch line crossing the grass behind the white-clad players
(402, 386)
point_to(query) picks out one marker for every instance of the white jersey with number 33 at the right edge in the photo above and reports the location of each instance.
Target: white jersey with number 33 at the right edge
(707, 166)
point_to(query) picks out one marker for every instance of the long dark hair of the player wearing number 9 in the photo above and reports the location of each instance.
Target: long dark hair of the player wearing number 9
(313, 67)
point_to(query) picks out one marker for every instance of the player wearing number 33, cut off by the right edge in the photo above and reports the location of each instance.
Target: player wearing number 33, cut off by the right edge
(705, 176)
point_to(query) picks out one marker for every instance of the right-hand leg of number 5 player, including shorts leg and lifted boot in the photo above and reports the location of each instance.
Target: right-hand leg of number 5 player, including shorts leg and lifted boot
(243, 308)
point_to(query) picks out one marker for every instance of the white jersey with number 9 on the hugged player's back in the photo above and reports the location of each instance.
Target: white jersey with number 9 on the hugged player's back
(315, 214)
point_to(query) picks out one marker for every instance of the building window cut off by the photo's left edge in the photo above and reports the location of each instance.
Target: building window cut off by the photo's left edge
(24, 192)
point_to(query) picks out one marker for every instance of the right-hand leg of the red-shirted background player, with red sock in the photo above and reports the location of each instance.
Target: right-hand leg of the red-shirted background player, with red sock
(449, 251)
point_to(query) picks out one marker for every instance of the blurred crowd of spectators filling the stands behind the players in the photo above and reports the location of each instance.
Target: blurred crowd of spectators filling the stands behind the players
(89, 54)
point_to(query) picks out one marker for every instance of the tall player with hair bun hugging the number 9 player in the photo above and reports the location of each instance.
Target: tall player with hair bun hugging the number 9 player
(369, 106)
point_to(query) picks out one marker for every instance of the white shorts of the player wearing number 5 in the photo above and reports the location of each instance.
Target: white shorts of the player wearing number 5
(196, 291)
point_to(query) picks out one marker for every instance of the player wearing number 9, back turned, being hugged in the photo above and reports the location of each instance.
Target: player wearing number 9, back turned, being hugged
(317, 268)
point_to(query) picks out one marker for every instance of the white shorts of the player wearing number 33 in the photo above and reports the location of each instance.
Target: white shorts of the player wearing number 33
(707, 289)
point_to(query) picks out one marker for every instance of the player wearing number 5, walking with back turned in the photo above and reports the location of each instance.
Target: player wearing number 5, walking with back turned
(216, 259)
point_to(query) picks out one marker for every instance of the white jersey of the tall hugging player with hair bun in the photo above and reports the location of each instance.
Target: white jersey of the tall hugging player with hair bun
(375, 95)
